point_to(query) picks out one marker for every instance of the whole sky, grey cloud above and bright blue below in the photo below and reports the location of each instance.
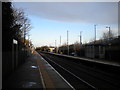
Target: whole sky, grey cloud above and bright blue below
(50, 20)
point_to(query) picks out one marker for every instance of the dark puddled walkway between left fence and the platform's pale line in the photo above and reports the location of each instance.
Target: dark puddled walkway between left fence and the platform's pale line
(26, 76)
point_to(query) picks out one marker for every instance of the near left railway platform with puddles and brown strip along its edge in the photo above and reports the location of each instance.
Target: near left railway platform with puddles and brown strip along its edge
(38, 74)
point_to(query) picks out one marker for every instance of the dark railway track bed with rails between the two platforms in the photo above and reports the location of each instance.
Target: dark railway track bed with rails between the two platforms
(81, 76)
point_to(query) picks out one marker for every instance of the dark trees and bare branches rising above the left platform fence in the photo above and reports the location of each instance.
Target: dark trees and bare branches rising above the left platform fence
(15, 25)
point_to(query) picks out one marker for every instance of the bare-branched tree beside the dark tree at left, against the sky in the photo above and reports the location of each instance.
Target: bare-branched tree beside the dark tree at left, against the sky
(22, 23)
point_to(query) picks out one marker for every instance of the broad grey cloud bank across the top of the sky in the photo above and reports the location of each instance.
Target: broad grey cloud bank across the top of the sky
(83, 12)
